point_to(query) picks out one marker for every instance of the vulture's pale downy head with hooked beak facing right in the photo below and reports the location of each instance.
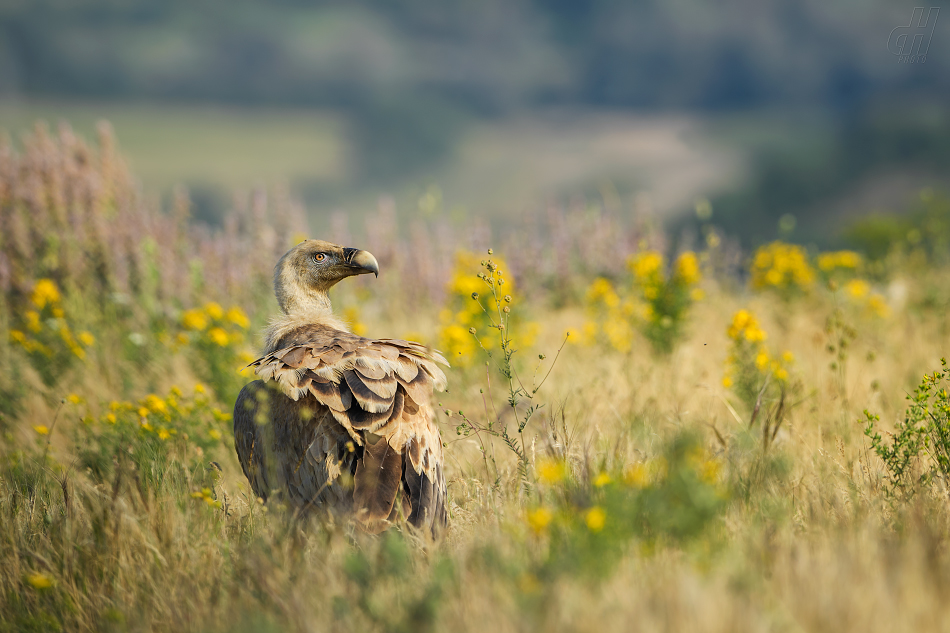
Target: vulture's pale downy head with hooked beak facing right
(306, 273)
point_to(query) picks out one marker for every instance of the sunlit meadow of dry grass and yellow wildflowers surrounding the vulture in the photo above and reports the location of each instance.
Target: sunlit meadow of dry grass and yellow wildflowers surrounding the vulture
(648, 493)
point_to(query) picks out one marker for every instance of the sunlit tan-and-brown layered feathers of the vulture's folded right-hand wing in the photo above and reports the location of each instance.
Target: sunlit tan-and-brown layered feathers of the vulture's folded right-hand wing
(379, 391)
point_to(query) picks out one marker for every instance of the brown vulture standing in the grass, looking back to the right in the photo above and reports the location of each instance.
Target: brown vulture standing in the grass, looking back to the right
(337, 421)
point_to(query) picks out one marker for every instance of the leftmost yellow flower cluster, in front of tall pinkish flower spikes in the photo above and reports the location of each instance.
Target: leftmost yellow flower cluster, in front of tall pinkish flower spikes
(46, 329)
